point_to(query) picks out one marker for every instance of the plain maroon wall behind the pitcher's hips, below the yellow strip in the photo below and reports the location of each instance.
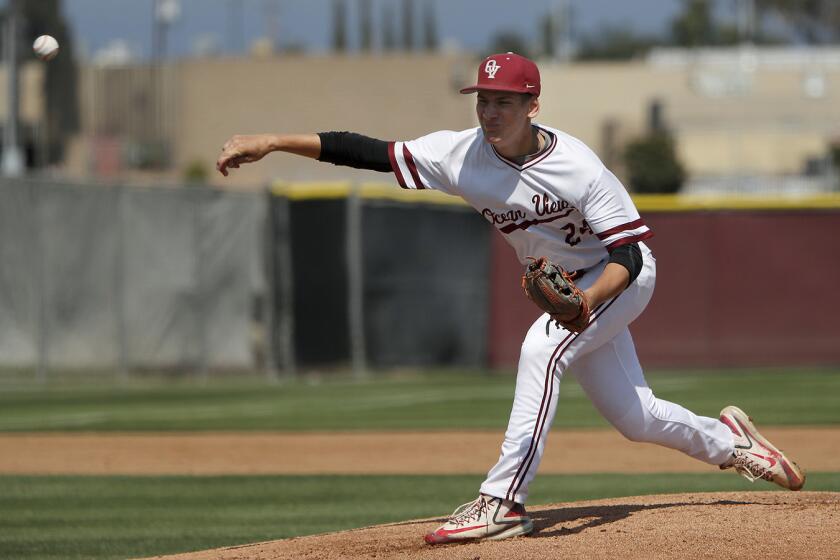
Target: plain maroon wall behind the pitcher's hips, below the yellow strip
(734, 288)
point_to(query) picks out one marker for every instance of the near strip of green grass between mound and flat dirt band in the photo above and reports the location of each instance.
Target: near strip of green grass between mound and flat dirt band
(95, 517)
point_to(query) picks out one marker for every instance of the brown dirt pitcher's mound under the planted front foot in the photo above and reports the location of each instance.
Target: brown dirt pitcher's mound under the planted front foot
(742, 525)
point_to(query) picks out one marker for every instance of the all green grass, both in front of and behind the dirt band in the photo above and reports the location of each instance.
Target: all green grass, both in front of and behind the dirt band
(122, 517)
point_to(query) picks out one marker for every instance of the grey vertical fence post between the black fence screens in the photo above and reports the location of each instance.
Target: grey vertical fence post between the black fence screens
(355, 281)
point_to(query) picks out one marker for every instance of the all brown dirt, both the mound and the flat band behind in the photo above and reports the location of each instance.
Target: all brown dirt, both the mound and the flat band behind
(735, 526)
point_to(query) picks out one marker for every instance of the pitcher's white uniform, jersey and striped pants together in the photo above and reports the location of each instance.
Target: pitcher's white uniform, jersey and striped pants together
(566, 205)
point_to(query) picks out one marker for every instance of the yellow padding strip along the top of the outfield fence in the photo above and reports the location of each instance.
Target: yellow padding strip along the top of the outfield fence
(644, 202)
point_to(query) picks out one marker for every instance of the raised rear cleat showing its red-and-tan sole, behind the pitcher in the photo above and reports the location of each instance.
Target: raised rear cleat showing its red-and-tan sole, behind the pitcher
(755, 457)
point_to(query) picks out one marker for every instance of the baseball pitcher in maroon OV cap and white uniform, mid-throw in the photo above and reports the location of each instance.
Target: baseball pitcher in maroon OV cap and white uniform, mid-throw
(581, 239)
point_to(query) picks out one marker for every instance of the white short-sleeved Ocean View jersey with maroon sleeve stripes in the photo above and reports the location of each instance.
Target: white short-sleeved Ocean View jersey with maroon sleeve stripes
(564, 204)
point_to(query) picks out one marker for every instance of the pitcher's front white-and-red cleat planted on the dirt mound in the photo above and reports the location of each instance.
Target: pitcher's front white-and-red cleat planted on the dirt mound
(486, 518)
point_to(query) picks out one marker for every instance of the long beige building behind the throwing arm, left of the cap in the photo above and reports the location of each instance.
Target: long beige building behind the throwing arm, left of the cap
(203, 102)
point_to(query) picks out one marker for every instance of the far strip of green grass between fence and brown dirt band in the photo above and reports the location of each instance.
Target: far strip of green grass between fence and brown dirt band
(453, 400)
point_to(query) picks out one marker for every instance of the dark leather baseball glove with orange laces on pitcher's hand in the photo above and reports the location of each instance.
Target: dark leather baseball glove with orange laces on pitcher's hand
(552, 289)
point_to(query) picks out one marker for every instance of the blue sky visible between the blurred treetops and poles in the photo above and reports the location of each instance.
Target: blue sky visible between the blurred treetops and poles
(470, 23)
